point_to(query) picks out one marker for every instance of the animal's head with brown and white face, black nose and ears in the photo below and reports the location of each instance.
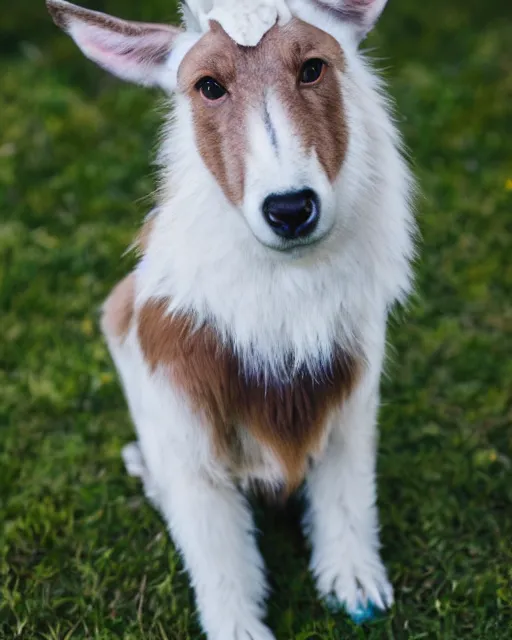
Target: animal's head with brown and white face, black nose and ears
(270, 122)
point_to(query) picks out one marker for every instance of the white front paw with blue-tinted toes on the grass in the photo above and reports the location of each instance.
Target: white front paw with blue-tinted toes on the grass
(353, 578)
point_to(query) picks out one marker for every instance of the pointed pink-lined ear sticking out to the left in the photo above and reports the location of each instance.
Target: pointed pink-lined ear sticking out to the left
(135, 51)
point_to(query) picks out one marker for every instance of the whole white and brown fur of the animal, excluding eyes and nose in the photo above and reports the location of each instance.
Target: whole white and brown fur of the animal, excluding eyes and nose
(246, 359)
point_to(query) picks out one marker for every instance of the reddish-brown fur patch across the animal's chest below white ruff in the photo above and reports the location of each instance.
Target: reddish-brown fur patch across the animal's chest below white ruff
(287, 417)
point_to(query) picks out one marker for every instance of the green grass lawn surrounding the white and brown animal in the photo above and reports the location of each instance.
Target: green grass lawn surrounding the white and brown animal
(81, 553)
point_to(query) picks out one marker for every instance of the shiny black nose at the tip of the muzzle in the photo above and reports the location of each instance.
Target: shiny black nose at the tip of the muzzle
(292, 215)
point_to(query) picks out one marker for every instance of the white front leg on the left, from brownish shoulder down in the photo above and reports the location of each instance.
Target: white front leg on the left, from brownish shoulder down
(209, 520)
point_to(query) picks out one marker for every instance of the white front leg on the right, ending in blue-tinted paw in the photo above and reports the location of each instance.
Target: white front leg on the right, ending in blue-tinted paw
(342, 520)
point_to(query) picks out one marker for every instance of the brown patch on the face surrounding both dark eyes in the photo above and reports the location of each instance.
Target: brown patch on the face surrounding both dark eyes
(316, 112)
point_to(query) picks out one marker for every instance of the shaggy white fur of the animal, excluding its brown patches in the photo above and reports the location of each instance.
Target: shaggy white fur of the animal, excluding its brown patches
(213, 260)
